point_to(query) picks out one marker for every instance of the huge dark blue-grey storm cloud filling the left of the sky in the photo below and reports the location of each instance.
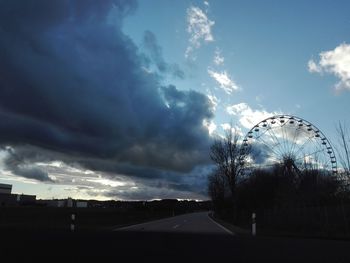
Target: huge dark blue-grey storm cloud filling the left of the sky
(73, 85)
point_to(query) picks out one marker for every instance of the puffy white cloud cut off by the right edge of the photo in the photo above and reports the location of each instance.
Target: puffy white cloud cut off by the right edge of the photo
(337, 62)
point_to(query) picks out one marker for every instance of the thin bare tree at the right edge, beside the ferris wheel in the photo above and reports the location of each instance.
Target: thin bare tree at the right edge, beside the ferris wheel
(343, 148)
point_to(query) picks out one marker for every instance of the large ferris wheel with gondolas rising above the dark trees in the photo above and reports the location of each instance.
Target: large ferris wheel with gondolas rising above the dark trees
(289, 142)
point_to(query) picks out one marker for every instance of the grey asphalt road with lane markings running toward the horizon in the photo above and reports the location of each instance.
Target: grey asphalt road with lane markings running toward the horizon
(188, 223)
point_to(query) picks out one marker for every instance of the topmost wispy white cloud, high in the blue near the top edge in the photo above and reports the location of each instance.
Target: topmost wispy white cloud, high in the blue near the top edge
(199, 28)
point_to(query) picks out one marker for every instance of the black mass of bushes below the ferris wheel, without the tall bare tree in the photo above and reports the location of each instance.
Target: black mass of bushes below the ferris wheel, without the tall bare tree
(313, 204)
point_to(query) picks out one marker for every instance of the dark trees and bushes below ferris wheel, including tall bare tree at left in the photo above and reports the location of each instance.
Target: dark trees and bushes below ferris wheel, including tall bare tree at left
(307, 202)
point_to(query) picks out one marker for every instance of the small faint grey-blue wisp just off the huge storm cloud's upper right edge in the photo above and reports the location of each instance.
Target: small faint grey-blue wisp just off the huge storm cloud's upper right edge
(155, 51)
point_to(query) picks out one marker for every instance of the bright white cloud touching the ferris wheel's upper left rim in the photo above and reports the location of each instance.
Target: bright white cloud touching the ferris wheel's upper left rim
(247, 116)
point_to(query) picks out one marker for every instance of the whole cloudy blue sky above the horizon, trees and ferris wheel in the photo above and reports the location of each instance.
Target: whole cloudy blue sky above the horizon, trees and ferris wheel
(122, 99)
